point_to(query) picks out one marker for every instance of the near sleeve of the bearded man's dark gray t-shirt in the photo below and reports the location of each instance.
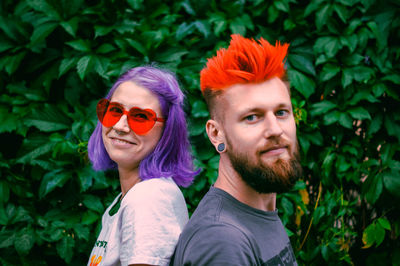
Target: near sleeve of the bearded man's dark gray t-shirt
(219, 244)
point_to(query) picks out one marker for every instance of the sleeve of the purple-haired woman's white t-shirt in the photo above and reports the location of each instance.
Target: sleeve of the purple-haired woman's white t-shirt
(152, 221)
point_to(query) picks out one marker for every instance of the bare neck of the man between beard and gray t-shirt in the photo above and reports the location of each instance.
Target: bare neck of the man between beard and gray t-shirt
(230, 181)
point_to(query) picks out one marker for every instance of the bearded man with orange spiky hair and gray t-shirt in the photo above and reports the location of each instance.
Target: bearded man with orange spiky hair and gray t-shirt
(252, 127)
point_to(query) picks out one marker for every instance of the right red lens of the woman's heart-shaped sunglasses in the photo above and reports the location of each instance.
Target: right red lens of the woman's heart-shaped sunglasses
(141, 121)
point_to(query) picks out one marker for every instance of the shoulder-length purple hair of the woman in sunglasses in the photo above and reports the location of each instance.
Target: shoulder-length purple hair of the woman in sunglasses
(171, 156)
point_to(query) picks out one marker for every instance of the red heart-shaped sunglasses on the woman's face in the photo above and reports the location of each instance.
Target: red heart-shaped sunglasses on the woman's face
(139, 120)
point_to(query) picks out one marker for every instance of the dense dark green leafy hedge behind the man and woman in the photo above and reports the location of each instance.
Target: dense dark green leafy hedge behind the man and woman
(58, 57)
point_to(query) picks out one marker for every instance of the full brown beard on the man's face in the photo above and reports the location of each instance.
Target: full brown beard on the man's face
(274, 177)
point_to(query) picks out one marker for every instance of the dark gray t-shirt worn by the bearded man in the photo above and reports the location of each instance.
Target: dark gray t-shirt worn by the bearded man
(224, 231)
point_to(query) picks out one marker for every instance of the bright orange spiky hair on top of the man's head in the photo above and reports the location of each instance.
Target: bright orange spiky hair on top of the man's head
(245, 61)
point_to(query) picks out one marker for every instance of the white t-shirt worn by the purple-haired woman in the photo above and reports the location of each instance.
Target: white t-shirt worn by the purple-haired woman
(145, 228)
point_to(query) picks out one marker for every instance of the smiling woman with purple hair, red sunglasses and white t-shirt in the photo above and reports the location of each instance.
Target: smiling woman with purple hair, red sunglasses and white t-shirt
(142, 133)
